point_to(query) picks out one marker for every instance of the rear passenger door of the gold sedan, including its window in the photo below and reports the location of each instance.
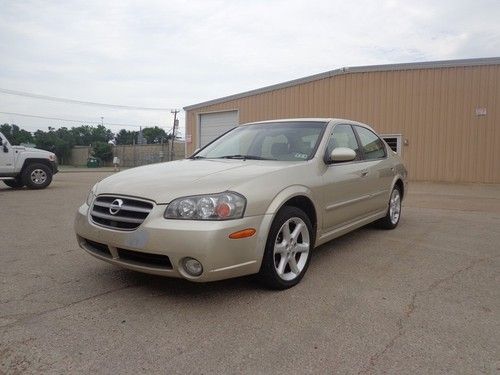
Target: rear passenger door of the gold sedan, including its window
(379, 171)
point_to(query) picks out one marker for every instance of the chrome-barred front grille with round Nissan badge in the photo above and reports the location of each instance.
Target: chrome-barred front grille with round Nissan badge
(119, 212)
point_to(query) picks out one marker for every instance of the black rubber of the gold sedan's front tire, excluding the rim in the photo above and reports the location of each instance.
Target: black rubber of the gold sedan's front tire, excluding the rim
(268, 274)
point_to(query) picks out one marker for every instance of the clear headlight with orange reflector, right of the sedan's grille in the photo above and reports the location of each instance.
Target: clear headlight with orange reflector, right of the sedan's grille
(222, 206)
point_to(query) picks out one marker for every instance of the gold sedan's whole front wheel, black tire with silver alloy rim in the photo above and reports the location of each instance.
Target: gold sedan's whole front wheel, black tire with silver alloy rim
(288, 249)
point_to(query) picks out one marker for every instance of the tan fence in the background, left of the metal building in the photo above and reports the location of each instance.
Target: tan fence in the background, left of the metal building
(131, 155)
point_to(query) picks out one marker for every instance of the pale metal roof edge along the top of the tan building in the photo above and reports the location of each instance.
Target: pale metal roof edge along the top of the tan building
(353, 69)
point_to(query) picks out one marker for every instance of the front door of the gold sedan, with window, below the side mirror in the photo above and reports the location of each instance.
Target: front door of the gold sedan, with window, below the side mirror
(344, 191)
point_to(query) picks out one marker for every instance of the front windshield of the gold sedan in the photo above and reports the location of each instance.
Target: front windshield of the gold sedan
(284, 141)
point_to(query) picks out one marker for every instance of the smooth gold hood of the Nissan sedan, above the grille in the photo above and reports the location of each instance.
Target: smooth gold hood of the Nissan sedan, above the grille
(164, 182)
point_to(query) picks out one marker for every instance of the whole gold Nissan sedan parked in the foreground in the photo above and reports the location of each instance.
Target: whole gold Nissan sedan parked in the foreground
(256, 200)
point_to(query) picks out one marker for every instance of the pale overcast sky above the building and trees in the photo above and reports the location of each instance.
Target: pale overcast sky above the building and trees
(171, 54)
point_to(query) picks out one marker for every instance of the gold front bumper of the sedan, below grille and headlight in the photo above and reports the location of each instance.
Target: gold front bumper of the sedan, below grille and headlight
(157, 237)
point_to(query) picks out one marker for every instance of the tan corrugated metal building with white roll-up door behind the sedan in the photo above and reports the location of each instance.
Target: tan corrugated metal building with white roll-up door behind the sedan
(443, 117)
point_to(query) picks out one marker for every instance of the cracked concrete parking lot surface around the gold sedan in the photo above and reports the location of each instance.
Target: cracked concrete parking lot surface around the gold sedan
(424, 298)
